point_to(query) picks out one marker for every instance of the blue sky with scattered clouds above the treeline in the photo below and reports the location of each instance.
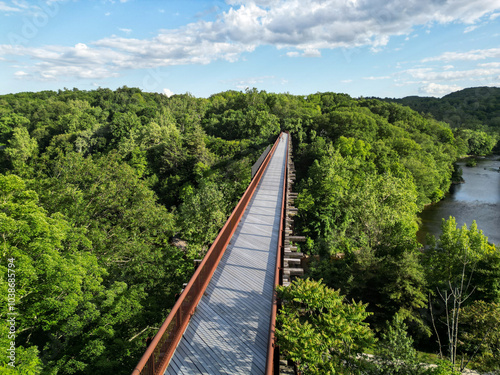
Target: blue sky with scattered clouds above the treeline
(384, 48)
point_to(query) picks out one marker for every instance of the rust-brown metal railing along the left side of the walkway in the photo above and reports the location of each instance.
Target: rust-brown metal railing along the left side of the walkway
(158, 354)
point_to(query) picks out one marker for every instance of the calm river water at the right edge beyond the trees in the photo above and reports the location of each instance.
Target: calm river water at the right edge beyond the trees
(476, 199)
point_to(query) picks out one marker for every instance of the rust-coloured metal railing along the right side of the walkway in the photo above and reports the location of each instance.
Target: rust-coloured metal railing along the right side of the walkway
(272, 360)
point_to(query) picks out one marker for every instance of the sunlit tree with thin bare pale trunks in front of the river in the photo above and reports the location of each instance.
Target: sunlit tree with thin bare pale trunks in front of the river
(456, 266)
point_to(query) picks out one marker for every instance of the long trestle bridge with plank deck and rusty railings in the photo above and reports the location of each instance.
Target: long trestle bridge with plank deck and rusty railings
(224, 320)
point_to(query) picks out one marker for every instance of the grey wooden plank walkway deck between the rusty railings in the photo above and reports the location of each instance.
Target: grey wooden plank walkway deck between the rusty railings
(229, 331)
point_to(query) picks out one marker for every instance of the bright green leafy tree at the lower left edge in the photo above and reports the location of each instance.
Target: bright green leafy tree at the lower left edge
(57, 276)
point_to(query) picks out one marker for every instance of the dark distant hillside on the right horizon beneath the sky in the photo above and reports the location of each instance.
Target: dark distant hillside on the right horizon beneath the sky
(469, 107)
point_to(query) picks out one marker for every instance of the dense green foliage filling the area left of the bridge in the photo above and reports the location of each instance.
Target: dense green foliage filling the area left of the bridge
(118, 174)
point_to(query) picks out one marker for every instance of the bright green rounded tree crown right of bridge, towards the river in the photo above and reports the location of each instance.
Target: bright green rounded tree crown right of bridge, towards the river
(344, 198)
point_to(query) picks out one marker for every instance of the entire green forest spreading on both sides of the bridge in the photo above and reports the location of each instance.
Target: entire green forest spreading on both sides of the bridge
(107, 197)
